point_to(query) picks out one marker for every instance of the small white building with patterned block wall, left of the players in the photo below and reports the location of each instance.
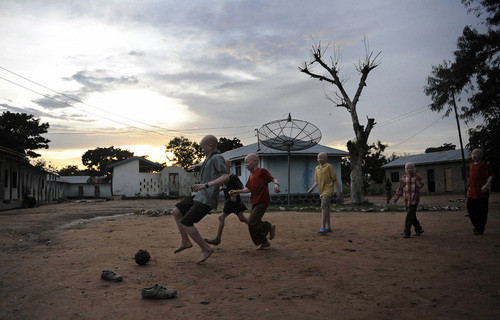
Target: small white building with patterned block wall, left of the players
(138, 177)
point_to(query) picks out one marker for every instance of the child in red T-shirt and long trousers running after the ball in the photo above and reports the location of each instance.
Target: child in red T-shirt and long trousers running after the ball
(260, 198)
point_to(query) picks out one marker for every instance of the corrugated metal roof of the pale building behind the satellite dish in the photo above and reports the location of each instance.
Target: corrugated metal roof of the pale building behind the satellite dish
(242, 152)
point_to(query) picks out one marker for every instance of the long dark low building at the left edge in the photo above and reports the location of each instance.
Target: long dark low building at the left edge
(19, 180)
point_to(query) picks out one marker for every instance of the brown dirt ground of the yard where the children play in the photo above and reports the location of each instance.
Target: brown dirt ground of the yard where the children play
(51, 264)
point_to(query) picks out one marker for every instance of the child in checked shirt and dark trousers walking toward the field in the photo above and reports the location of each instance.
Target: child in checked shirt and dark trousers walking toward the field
(409, 187)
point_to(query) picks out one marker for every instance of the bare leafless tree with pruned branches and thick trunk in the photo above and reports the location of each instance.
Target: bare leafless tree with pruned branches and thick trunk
(359, 146)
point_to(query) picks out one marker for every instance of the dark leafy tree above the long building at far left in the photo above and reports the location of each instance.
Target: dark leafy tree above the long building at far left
(22, 133)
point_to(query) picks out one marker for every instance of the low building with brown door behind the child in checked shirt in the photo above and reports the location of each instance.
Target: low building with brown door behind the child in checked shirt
(441, 171)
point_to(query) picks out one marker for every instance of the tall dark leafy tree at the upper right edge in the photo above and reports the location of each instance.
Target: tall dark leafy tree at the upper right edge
(474, 73)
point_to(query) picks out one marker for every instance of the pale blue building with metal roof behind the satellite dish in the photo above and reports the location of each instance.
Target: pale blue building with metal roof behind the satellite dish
(302, 166)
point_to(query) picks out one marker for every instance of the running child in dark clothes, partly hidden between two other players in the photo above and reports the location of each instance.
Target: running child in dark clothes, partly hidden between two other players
(233, 204)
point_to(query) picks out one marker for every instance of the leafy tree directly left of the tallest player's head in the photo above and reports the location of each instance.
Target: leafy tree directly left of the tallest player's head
(186, 153)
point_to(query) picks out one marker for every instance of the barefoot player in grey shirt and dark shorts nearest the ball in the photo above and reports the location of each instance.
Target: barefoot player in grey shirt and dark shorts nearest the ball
(192, 209)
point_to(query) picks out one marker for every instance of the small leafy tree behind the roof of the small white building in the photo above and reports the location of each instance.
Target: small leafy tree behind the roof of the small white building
(97, 160)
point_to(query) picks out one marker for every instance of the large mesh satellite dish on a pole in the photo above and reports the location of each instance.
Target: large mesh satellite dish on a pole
(288, 135)
